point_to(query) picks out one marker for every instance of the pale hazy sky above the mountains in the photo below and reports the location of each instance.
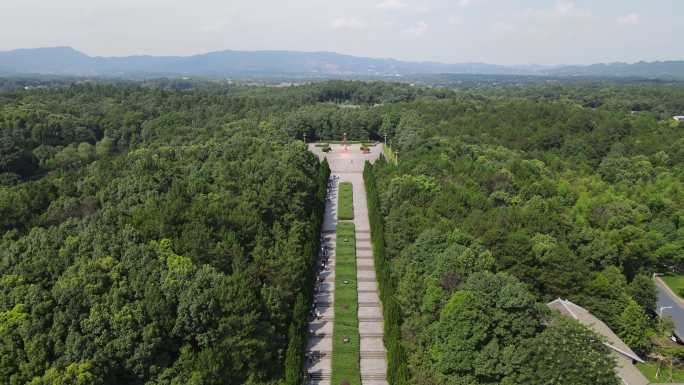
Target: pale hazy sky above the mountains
(451, 31)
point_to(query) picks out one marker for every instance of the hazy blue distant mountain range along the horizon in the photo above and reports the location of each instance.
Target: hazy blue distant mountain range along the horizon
(245, 64)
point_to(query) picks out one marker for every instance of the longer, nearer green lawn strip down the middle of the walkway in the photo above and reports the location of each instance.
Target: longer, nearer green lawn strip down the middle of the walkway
(346, 356)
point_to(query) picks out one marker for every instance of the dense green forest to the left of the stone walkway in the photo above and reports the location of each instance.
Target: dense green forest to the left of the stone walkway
(142, 246)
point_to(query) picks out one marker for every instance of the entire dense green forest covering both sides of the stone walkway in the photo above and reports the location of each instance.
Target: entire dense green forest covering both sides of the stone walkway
(164, 232)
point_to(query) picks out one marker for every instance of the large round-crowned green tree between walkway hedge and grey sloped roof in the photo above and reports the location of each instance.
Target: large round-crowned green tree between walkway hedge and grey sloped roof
(479, 328)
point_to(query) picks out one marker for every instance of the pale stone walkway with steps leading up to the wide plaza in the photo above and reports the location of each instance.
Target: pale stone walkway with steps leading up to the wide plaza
(348, 166)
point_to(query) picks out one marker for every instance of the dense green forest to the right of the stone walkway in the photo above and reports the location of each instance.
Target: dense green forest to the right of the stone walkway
(574, 191)
